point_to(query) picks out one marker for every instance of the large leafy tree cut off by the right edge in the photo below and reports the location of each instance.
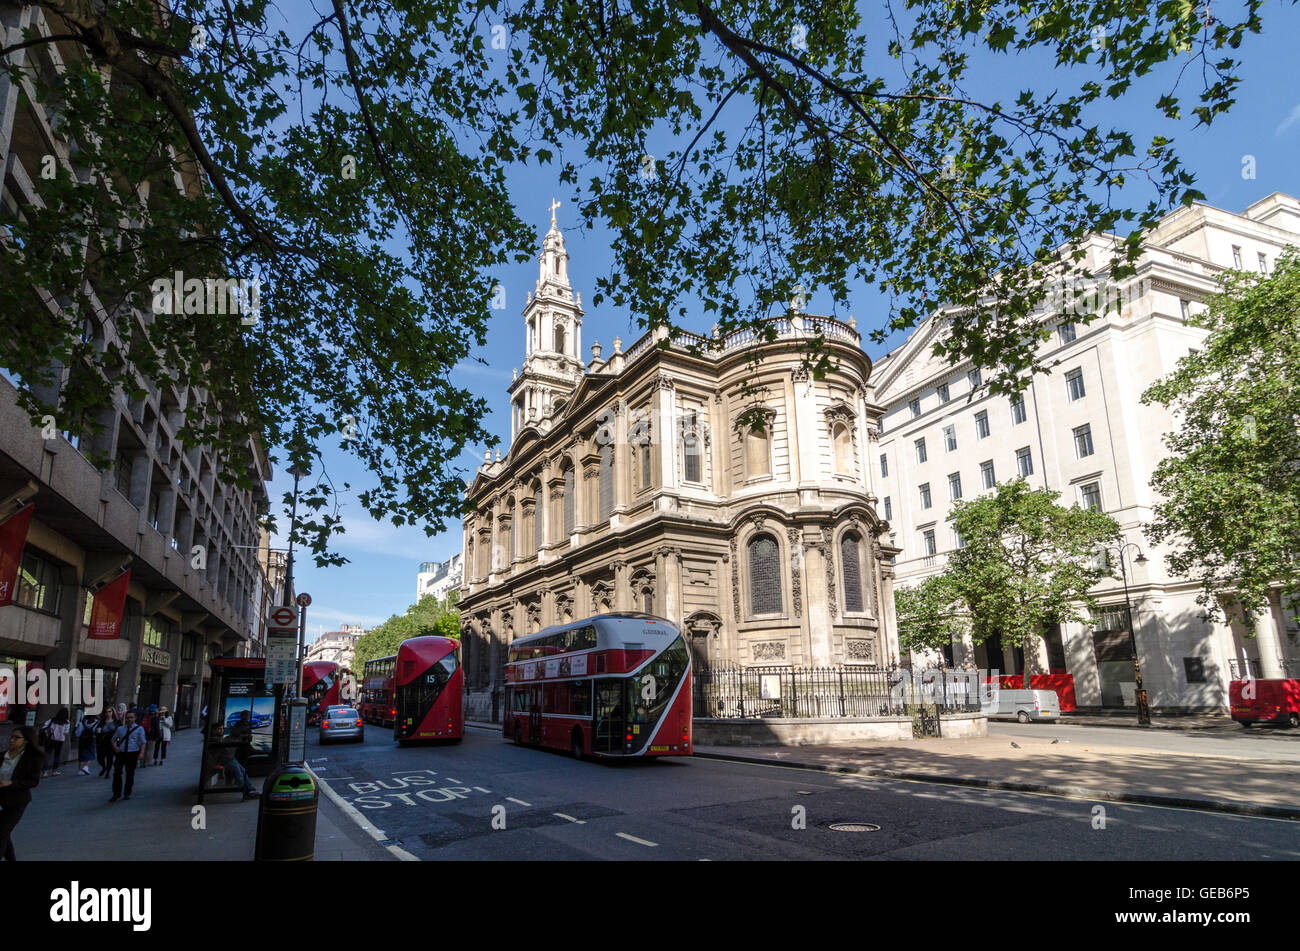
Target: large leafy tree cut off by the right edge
(1230, 487)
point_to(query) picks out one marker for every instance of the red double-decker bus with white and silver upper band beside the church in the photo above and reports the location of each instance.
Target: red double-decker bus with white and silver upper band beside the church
(612, 685)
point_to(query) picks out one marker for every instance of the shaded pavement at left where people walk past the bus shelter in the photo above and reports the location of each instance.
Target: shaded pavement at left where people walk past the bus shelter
(71, 819)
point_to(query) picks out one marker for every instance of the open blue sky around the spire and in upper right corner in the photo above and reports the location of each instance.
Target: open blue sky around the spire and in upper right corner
(382, 577)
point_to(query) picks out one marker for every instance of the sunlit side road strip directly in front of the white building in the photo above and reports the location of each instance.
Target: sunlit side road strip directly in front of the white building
(1258, 744)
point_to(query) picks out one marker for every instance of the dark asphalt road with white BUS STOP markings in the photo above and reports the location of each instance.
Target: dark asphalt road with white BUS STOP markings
(489, 800)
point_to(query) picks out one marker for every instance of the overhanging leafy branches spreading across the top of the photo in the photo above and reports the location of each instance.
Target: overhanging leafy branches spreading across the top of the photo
(744, 155)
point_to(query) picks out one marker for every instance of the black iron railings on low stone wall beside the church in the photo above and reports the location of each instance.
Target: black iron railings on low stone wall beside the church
(834, 692)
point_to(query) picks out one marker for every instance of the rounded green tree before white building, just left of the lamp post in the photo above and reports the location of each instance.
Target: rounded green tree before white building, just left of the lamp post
(1028, 562)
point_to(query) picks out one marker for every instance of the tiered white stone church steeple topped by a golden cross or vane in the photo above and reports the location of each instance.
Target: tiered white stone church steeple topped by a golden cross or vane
(553, 338)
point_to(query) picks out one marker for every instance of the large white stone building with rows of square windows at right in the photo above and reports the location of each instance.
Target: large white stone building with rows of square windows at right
(1082, 431)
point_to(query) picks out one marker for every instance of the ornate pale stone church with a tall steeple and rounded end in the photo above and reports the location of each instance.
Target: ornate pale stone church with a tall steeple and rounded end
(640, 483)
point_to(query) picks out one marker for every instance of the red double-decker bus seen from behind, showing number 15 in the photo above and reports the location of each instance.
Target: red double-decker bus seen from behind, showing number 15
(430, 691)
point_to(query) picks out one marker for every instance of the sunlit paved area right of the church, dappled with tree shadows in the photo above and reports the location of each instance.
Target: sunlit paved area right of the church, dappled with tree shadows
(1089, 766)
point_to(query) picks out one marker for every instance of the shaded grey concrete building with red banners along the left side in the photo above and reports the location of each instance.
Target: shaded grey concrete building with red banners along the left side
(161, 509)
